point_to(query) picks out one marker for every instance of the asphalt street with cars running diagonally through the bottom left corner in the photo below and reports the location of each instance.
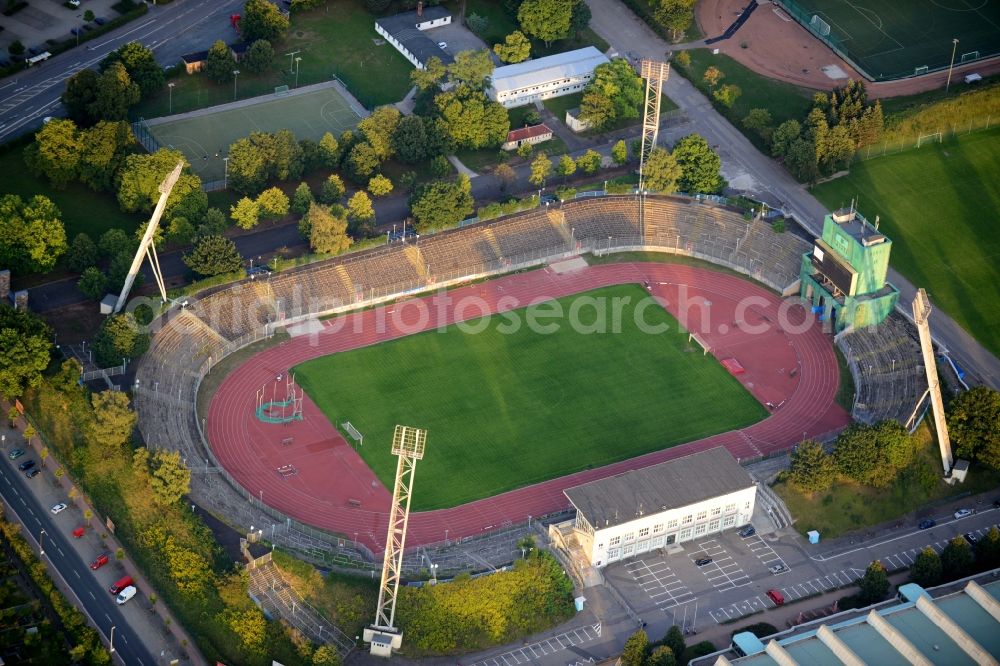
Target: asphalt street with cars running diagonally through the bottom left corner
(63, 561)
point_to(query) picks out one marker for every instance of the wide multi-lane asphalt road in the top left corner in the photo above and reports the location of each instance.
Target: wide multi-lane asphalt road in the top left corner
(171, 31)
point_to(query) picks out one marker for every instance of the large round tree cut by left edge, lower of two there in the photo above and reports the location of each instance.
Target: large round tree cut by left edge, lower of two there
(24, 339)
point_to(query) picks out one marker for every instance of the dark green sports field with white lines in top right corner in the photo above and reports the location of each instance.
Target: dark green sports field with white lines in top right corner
(891, 39)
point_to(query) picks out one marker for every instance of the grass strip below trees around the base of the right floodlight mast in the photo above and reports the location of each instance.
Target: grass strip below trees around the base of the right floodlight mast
(848, 506)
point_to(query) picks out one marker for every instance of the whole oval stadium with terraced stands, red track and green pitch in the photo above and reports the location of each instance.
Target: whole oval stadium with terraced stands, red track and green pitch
(313, 367)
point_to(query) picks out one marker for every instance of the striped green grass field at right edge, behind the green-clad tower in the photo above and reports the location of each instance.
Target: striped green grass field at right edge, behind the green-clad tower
(939, 205)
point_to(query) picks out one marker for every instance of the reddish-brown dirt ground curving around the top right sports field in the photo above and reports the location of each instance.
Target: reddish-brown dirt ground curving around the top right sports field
(779, 48)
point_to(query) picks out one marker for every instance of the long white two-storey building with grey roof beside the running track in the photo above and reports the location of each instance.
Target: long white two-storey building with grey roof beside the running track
(676, 501)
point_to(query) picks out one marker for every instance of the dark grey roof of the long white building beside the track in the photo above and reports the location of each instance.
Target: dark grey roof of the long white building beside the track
(668, 485)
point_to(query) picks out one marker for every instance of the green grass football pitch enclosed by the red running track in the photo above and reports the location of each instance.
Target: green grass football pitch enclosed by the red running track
(505, 410)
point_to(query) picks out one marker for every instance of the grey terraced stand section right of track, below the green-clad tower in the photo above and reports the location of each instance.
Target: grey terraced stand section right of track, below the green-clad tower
(887, 368)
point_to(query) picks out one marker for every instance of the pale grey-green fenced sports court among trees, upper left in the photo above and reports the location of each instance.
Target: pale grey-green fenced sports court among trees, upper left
(205, 136)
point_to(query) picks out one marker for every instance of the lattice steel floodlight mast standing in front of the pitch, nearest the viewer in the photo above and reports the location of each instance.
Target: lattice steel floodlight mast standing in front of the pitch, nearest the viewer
(408, 446)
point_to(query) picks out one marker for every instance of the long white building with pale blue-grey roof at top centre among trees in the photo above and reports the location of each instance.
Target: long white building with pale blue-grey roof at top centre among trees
(542, 78)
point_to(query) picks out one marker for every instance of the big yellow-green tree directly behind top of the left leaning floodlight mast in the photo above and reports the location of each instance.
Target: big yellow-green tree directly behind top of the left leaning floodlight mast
(139, 182)
